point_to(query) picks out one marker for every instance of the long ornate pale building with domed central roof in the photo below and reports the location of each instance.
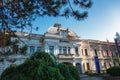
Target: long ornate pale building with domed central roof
(69, 48)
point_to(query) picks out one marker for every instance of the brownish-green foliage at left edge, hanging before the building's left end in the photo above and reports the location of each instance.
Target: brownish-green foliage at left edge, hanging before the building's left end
(9, 46)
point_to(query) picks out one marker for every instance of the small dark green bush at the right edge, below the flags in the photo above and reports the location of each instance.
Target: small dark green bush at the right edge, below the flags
(114, 71)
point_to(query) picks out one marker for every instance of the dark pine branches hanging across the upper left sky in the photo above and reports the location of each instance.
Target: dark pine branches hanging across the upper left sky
(18, 14)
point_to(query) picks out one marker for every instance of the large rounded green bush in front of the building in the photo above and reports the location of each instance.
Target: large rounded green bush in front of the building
(40, 66)
